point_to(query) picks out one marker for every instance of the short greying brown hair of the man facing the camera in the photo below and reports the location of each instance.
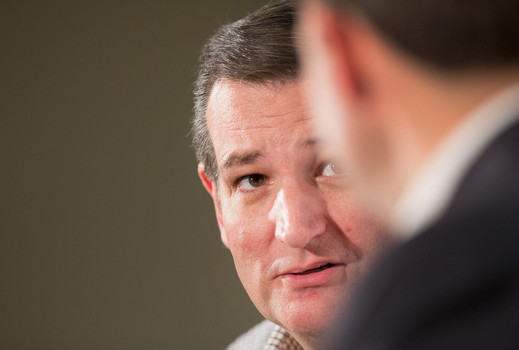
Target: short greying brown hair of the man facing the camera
(258, 49)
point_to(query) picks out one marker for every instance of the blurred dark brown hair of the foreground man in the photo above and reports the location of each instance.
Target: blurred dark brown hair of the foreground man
(447, 34)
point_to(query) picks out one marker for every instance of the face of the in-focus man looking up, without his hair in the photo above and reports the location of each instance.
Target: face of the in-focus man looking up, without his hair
(297, 239)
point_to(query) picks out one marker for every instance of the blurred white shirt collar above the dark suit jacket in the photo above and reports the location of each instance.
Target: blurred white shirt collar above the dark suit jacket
(430, 191)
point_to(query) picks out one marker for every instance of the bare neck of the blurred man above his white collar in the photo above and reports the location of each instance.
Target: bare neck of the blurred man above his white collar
(431, 111)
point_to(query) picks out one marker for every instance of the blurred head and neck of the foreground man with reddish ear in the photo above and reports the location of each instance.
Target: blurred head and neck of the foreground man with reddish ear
(389, 79)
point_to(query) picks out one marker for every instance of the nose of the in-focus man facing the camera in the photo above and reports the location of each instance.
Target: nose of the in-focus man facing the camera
(299, 215)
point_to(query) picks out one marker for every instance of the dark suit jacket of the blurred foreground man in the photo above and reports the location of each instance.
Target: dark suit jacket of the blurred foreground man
(455, 285)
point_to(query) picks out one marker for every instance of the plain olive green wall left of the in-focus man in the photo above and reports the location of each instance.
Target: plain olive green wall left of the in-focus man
(107, 239)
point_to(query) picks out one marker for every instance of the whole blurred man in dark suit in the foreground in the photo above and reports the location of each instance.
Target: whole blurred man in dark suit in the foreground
(420, 101)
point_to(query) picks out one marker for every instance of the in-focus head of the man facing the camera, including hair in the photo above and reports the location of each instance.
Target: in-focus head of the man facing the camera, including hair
(297, 238)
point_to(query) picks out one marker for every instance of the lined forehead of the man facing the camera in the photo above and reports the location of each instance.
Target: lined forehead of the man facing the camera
(250, 116)
